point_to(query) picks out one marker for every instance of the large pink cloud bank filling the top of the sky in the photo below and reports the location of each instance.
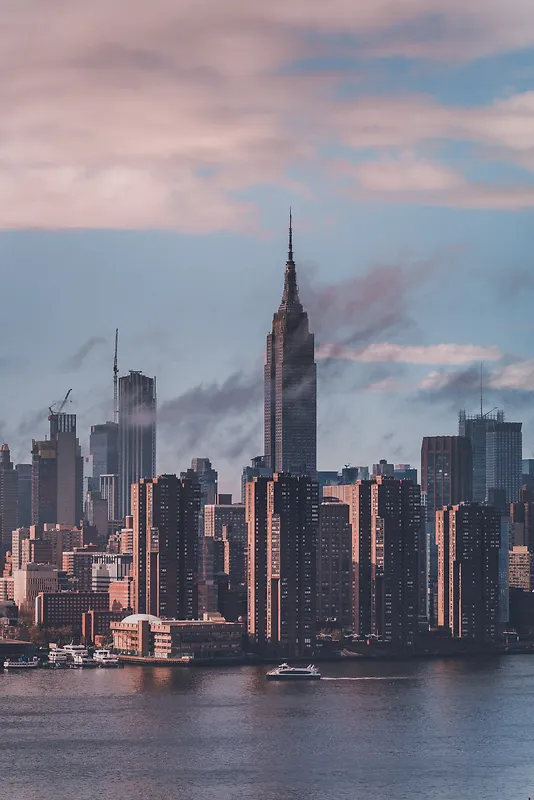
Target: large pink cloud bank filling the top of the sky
(159, 115)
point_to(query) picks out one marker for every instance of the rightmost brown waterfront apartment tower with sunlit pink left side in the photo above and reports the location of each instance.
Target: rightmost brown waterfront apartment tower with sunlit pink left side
(469, 548)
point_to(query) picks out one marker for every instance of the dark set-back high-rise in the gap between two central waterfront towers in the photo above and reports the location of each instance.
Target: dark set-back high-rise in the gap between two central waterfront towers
(334, 564)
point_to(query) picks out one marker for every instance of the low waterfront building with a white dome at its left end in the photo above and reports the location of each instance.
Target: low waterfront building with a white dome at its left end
(209, 638)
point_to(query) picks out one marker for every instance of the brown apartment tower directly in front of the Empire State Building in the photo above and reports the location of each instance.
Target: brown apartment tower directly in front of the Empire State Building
(282, 563)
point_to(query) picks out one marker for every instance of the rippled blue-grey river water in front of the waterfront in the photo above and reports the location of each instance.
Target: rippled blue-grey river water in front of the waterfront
(430, 729)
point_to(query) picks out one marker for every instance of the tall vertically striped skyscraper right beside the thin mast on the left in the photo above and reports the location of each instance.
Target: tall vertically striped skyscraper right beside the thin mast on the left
(137, 433)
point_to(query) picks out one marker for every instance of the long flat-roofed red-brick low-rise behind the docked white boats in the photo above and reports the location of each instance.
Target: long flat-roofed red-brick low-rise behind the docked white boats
(59, 609)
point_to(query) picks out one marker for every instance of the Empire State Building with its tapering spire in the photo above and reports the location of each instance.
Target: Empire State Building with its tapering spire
(291, 384)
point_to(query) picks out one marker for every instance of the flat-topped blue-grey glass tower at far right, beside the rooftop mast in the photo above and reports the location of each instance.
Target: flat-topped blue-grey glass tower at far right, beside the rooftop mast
(504, 455)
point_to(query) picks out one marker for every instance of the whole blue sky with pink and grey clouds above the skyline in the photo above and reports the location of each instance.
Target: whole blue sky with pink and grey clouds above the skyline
(149, 153)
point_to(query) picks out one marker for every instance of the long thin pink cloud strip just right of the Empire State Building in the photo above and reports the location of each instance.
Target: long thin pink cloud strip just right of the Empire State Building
(446, 354)
